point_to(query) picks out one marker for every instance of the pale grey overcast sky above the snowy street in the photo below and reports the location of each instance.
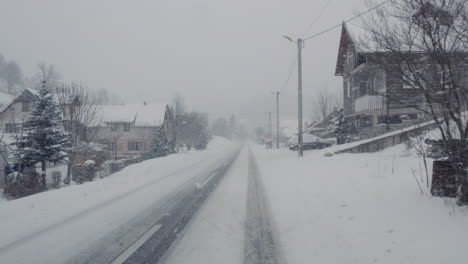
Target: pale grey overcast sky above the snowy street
(222, 56)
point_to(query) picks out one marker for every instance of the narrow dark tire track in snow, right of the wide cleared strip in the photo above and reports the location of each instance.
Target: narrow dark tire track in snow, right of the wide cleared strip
(261, 243)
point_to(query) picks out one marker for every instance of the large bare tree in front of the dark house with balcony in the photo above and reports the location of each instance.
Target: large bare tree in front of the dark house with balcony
(424, 43)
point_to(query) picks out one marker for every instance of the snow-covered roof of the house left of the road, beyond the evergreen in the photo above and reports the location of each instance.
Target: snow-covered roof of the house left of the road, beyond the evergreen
(139, 114)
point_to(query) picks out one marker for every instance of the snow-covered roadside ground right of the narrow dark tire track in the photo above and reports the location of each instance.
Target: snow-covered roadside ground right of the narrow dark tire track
(359, 208)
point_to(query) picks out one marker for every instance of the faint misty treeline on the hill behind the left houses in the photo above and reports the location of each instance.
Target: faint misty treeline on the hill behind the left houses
(13, 81)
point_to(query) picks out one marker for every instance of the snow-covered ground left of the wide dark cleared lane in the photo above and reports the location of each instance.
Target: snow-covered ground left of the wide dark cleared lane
(51, 227)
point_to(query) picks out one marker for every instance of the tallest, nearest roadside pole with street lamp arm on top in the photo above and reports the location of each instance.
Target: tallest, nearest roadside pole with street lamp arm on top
(300, 44)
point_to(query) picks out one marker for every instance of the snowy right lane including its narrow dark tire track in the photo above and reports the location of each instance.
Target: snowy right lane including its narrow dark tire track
(235, 225)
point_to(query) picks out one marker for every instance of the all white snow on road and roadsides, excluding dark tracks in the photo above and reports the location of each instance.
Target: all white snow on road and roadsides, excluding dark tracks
(347, 208)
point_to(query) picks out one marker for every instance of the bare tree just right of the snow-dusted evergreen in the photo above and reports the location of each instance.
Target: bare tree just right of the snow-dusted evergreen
(79, 112)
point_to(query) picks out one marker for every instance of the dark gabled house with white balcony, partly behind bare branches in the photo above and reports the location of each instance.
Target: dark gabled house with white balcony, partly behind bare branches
(368, 111)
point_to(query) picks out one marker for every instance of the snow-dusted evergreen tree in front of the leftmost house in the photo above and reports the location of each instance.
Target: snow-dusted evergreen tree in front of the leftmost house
(44, 140)
